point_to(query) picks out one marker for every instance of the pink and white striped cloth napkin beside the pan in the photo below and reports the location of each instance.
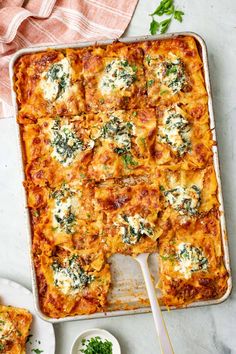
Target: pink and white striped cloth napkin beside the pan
(27, 23)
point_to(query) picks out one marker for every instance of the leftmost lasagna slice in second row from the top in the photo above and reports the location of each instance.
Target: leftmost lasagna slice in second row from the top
(57, 150)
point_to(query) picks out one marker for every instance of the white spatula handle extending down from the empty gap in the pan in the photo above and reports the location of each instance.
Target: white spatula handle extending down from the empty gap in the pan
(165, 344)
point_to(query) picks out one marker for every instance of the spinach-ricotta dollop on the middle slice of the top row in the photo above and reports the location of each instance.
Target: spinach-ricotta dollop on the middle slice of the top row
(118, 75)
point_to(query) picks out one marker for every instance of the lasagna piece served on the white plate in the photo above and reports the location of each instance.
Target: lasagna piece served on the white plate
(14, 329)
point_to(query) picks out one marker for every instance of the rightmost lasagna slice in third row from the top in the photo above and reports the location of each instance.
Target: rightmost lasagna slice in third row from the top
(187, 194)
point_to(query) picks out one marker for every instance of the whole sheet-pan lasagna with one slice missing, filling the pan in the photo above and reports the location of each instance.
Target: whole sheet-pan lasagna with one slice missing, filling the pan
(118, 159)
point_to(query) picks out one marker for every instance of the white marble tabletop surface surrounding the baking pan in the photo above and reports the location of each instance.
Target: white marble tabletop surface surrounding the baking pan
(206, 330)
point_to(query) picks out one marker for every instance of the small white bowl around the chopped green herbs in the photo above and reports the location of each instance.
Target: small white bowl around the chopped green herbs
(95, 332)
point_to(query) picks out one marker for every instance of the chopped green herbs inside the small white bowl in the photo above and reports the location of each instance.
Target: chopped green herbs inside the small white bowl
(96, 346)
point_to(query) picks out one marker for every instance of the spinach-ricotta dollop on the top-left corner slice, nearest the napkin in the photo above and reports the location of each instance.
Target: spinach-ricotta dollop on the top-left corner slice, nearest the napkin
(55, 82)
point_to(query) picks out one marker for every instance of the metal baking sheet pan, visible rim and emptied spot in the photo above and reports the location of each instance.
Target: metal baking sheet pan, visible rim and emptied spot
(128, 294)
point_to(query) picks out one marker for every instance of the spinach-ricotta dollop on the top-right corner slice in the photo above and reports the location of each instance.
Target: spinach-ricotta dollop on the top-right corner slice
(171, 73)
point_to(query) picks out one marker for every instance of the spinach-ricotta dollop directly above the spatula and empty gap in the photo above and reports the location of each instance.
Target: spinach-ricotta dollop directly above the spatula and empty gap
(132, 228)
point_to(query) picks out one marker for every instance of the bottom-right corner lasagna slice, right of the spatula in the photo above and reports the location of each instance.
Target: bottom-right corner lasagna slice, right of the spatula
(191, 262)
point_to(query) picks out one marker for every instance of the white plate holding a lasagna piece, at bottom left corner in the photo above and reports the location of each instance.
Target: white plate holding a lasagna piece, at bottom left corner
(42, 333)
